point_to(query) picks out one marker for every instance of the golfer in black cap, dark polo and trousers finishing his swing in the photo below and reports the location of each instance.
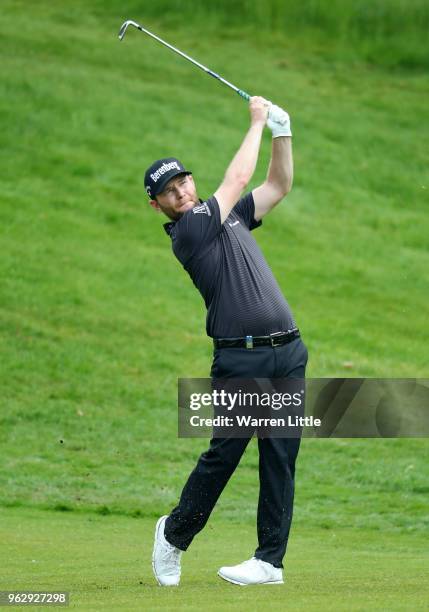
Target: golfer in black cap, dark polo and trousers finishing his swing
(254, 335)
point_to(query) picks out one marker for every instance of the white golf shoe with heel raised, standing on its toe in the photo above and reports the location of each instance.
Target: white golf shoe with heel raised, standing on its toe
(165, 558)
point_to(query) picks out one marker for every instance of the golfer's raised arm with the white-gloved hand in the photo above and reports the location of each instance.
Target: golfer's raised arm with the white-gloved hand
(280, 172)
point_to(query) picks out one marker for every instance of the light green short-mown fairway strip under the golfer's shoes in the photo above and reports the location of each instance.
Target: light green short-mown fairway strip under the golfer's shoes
(105, 563)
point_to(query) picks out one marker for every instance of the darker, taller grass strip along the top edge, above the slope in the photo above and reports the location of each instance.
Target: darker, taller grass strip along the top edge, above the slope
(392, 33)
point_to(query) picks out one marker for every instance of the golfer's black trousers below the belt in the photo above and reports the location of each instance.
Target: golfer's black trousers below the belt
(277, 458)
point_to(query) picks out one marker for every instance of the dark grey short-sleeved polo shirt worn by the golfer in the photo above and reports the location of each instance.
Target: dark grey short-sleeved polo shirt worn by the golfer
(227, 267)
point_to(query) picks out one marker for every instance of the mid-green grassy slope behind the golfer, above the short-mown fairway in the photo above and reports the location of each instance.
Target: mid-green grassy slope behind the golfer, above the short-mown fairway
(97, 317)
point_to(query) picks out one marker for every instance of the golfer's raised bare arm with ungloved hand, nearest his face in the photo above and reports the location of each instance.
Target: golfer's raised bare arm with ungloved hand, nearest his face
(243, 165)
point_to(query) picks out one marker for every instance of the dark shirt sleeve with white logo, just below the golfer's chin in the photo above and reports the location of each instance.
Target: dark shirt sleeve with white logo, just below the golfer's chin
(195, 232)
